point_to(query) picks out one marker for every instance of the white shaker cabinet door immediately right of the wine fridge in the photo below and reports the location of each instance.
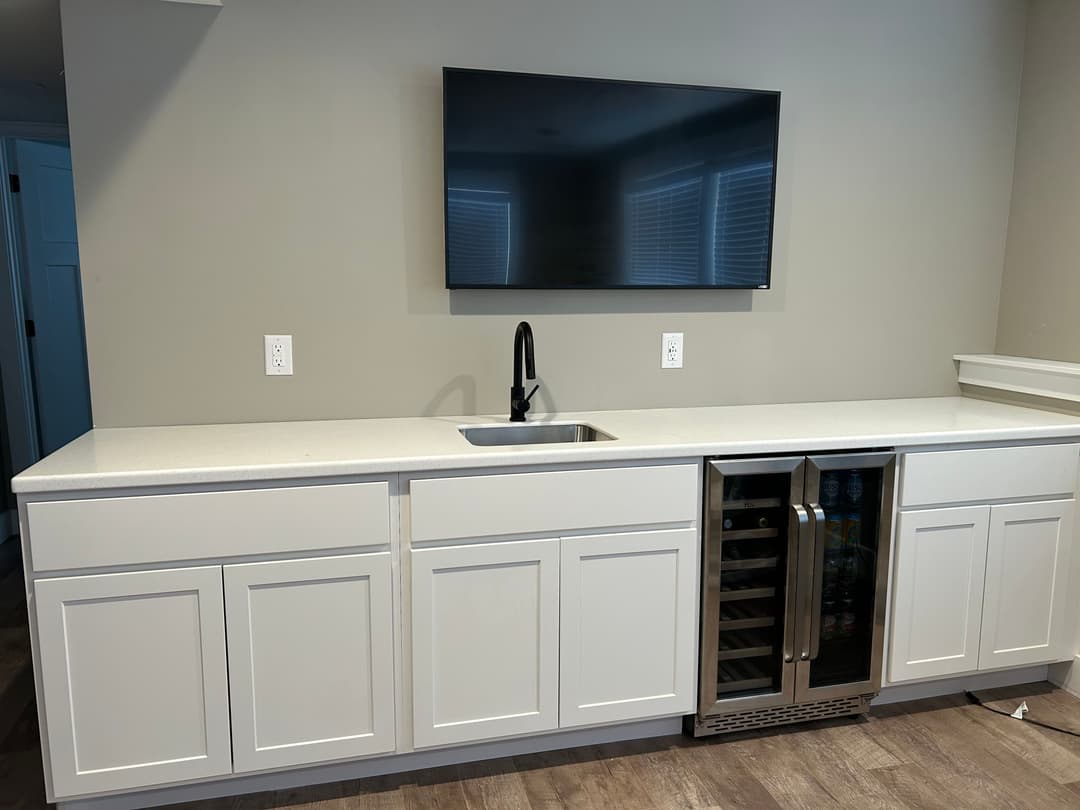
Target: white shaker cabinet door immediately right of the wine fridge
(938, 592)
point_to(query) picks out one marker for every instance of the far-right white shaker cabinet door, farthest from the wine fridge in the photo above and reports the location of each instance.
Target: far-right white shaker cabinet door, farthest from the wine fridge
(1024, 609)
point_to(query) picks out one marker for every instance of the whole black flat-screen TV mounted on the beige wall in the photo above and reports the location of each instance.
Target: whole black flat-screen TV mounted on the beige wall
(557, 183)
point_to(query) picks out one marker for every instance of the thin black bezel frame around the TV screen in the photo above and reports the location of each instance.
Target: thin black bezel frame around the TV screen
(447, 185)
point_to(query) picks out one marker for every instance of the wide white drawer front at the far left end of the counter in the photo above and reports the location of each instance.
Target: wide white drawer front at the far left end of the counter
(139, 530)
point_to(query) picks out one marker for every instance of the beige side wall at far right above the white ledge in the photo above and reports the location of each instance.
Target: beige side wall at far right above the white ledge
(1041, 291)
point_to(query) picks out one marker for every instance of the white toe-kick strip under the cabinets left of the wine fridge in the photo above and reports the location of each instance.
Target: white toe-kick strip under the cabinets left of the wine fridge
(366, 768)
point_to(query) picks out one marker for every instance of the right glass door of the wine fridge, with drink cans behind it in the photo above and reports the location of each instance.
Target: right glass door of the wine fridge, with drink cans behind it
(842, 636)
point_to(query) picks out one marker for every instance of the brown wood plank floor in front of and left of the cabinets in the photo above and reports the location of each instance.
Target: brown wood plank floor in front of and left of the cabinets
(943, 753)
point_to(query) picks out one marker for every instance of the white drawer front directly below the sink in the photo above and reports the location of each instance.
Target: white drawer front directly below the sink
(489, 506)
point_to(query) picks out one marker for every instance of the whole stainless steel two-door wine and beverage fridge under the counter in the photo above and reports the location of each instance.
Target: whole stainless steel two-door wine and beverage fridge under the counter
(796, 556)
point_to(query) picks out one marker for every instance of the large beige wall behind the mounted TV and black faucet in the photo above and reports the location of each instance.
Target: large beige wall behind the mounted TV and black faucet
(275, 167)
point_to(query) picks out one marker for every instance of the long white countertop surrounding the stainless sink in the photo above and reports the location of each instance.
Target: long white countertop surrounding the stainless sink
(213, 454)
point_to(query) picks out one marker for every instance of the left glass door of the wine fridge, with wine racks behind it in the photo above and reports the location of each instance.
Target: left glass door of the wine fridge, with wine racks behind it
(755, 521)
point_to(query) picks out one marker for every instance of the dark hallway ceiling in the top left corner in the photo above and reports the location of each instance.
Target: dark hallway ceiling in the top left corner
(31, 44)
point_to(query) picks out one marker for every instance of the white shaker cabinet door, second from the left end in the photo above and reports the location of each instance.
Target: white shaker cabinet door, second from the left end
(312, 660)
